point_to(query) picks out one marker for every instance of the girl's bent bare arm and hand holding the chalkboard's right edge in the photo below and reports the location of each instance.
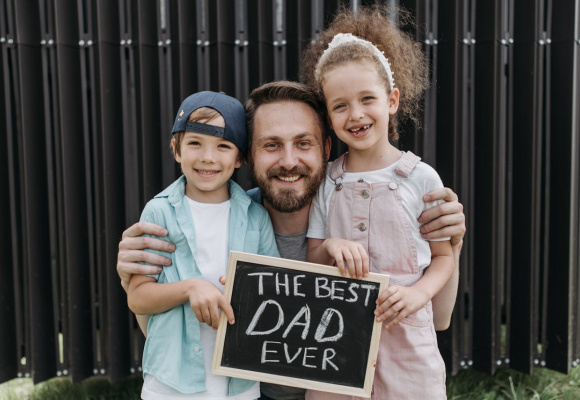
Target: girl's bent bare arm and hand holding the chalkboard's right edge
(402, 301)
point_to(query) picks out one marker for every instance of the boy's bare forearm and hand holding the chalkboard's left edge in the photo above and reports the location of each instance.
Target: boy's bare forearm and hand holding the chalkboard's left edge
(146, 296)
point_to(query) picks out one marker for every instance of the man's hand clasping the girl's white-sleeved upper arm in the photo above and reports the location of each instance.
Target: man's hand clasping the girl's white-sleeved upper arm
(445, 219)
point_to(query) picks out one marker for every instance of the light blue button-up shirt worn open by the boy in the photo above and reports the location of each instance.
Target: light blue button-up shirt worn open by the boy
(173, 350)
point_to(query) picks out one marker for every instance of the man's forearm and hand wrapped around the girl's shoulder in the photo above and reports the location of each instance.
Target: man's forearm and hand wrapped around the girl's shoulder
(445, 220)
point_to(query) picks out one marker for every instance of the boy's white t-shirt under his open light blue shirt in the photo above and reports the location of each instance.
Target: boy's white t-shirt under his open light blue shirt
(211, 223)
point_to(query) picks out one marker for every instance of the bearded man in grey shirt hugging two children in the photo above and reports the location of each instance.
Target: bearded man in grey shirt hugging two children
(288, 155)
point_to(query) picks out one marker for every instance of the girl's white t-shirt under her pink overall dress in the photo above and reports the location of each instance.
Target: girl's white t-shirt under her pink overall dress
(422, 180)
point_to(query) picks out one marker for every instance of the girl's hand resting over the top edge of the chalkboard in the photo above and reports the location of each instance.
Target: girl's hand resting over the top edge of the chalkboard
(350, 253)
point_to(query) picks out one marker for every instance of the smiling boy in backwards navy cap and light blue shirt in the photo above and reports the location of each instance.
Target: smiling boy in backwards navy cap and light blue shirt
(206, 214)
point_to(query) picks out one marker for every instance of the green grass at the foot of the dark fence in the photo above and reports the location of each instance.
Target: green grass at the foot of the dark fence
(542, 384)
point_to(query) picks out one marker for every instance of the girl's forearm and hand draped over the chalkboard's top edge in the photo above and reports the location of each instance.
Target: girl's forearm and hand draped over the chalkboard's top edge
(339, 251)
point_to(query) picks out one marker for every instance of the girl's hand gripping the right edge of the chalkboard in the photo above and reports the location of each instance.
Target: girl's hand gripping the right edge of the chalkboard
(398, 302)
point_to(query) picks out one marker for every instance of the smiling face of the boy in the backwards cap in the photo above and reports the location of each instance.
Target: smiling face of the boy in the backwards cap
(207, 162)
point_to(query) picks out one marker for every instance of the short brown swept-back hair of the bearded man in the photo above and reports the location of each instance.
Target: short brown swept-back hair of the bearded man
(283, 91)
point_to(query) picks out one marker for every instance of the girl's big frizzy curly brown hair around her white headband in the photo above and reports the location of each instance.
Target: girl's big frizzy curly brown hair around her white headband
(375, 24)
